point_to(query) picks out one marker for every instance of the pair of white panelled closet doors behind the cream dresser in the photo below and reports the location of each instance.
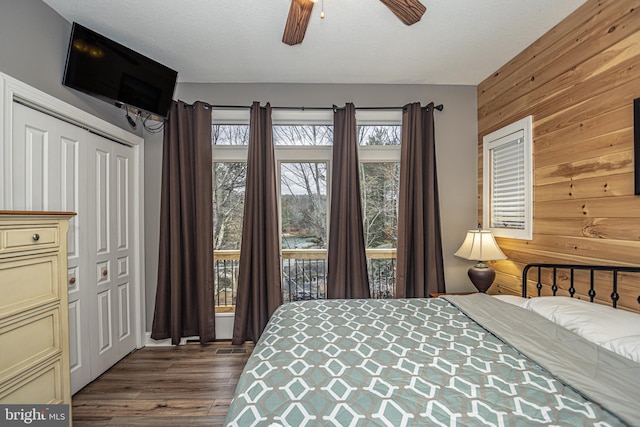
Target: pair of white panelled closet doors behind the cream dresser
(56, 165)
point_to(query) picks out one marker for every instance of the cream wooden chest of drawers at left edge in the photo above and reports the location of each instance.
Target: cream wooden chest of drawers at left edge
(34, 336)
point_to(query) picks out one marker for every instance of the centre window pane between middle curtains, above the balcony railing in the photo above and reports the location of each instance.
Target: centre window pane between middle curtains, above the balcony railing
(304, 205)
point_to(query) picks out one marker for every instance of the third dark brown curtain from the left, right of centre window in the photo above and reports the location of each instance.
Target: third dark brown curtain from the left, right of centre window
(347, 260)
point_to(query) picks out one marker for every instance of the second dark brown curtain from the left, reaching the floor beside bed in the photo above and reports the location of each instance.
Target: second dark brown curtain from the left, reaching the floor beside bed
(259, 292)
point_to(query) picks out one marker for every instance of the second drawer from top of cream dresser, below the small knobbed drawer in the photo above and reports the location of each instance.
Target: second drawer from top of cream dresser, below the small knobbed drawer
(27, 282)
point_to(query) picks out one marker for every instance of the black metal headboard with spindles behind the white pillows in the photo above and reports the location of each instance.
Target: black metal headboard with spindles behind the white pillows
(572, 268)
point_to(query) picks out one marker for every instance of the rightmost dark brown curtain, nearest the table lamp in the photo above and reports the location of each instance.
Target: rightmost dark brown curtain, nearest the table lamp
(419, 269)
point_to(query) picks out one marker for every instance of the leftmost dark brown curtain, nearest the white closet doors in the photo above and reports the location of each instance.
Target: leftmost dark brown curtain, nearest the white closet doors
(184, 298)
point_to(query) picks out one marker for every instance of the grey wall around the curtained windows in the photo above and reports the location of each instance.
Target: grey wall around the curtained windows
(456, 148)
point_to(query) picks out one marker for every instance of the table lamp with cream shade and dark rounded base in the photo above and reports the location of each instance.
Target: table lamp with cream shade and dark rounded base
(480, 245)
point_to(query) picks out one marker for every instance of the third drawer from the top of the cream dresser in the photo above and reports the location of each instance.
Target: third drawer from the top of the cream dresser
(28, 339)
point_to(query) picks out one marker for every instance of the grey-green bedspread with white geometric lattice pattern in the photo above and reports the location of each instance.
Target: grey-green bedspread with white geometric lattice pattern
(396, 362)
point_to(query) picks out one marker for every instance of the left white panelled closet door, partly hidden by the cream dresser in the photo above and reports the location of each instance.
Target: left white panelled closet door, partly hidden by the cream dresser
(47, 158)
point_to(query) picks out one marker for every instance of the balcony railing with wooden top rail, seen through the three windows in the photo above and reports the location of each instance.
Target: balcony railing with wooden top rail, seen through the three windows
(304, 275)
